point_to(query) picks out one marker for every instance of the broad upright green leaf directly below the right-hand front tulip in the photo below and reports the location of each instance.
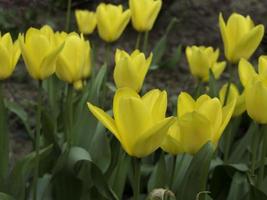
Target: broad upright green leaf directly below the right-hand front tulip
(195, 178)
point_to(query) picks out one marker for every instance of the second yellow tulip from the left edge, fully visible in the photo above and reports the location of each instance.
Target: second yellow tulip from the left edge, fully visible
(40, 52)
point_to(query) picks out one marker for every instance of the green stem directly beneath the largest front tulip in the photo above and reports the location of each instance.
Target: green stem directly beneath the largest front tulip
(136, 181)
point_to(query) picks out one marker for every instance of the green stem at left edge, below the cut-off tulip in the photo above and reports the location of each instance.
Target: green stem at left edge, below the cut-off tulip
(4, 140)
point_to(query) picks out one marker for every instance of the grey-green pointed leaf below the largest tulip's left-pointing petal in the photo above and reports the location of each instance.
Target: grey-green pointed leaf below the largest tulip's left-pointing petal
(100, 148)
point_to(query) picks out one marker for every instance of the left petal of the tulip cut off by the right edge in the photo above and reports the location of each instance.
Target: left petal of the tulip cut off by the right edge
(246, 71)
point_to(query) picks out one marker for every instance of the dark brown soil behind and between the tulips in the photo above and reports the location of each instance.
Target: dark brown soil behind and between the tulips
(197, 24)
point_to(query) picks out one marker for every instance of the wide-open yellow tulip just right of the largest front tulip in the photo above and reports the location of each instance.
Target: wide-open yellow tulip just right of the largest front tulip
(197, 123)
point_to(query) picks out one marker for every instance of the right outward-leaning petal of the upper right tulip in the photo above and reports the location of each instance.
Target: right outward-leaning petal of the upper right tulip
(248, 43)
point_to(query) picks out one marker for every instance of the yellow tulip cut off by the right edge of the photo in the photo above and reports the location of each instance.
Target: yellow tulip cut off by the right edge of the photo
(255, 88)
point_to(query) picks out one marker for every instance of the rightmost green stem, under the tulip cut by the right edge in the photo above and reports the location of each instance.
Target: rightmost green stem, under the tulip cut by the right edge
(263, 154)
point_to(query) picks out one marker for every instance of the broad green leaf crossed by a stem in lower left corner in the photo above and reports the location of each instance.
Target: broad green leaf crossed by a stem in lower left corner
(22, 171)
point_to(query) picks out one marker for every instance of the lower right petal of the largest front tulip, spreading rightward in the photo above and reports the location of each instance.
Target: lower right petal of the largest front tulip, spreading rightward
(152, 139)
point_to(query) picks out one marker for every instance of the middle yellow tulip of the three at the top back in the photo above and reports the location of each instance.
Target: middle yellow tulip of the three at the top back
(111, 21)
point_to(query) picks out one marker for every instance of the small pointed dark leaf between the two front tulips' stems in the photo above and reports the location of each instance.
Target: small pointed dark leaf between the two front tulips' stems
(158, 177)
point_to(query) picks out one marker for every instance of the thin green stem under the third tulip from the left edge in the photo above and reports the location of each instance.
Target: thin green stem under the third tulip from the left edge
(69, 125)
